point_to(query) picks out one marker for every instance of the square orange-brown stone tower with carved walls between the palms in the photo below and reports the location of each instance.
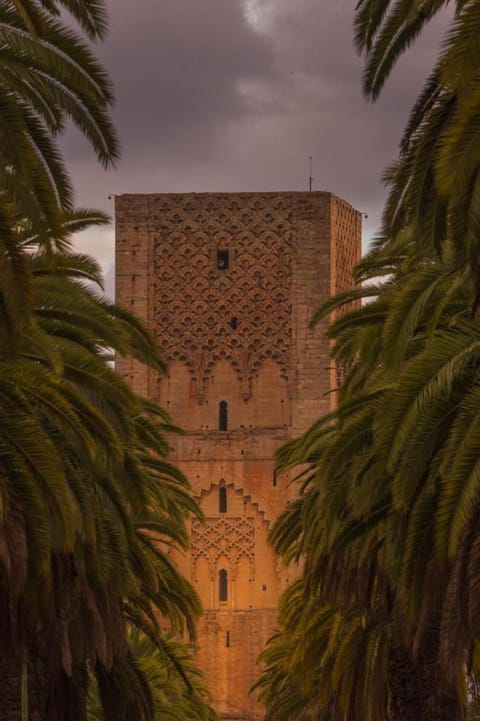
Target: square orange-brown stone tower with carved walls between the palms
(228, 283)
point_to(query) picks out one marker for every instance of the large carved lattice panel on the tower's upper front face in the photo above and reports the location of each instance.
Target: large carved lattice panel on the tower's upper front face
(241, 314)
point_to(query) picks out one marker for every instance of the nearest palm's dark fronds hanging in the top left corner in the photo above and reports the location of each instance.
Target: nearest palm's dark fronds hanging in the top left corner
(48, 75)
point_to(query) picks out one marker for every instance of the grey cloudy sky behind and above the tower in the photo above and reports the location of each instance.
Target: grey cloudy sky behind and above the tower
(224, 95)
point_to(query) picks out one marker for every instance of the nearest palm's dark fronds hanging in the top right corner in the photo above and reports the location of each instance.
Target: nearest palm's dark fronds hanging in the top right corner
(434, 184)
